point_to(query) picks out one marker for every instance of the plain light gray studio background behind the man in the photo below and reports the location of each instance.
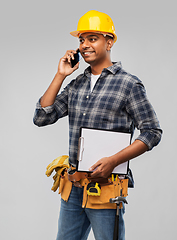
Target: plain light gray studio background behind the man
(34, 35)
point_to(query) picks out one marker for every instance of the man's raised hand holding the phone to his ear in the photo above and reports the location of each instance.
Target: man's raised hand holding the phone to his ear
(64, 66)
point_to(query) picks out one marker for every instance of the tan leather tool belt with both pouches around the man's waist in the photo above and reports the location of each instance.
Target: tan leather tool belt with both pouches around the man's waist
(96, 192)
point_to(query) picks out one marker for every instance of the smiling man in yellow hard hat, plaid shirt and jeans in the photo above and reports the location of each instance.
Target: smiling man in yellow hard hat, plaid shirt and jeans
(106, 97)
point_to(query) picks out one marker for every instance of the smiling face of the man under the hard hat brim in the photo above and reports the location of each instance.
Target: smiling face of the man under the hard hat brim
(93, 47)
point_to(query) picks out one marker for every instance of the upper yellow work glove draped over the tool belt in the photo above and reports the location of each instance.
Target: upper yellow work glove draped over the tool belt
(62, 161)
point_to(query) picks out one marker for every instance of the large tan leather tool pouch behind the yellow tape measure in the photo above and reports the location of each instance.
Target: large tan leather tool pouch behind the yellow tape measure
(111, 190)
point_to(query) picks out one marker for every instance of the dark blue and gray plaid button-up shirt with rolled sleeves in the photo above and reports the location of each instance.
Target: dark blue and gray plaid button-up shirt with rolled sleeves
(118, 102)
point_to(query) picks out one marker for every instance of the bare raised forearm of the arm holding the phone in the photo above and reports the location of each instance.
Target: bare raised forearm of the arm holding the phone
(49, 96)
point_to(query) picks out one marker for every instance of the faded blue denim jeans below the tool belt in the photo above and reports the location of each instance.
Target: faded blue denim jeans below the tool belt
(75, 222)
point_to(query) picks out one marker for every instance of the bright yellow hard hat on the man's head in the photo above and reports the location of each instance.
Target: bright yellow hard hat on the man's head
(94, 21)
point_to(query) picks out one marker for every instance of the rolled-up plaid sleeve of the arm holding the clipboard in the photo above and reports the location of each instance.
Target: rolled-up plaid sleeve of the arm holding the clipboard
(144, 116)
